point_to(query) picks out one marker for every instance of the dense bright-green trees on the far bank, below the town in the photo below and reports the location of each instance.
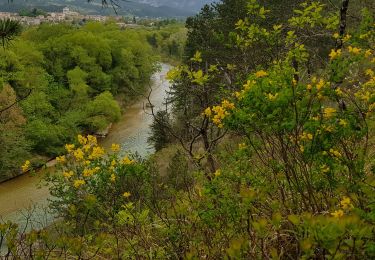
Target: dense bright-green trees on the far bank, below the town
(73, 80)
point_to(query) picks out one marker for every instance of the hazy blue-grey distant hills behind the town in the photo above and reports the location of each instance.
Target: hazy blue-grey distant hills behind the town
(142, 8)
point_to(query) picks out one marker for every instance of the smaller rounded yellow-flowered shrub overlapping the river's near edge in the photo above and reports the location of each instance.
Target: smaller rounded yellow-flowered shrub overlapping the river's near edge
(93, 185)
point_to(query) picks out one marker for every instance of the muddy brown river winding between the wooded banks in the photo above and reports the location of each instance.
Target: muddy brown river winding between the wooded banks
(22, 195)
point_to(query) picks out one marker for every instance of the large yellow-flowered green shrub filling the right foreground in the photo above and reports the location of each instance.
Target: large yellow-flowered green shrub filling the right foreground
(308, 143)
